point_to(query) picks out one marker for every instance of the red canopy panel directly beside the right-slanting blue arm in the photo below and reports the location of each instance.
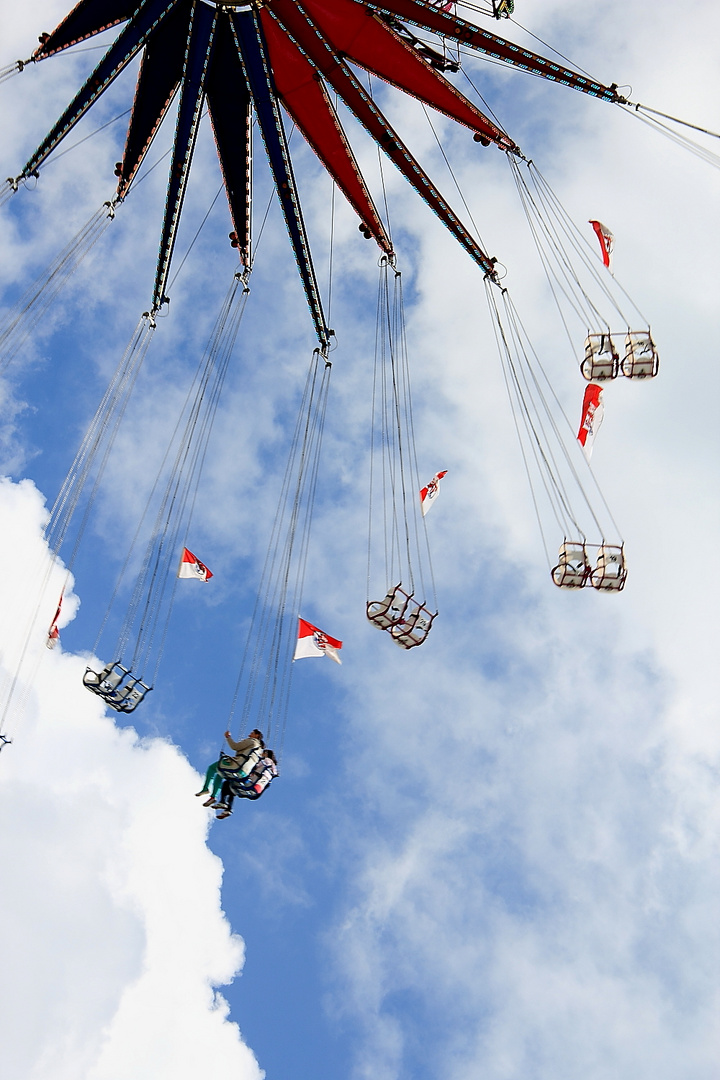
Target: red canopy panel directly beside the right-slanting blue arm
(306, 100)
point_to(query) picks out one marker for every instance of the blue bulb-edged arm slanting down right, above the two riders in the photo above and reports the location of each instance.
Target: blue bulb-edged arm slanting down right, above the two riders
(253, 51)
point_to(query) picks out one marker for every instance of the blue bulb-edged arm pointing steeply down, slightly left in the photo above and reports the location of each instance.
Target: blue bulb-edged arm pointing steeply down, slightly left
(200, 44)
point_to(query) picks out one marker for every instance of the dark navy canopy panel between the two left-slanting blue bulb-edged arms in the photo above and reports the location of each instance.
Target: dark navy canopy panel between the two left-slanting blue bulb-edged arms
(159, 78)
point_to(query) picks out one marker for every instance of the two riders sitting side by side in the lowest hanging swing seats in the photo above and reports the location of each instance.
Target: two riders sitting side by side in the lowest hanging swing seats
(246, 775)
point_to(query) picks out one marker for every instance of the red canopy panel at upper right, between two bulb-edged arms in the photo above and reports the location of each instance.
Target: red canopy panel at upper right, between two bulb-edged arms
(358, 33)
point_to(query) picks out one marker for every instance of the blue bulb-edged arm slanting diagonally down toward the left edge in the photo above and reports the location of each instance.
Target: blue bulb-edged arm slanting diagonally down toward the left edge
(131, 40)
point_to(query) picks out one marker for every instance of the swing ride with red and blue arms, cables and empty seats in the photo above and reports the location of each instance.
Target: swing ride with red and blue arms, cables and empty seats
(249, 65)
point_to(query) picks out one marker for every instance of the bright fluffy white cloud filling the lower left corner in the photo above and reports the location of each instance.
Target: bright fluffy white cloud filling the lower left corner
(115, 941)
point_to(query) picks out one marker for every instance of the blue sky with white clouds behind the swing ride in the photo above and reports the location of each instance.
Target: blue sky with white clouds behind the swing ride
(495, 856)
